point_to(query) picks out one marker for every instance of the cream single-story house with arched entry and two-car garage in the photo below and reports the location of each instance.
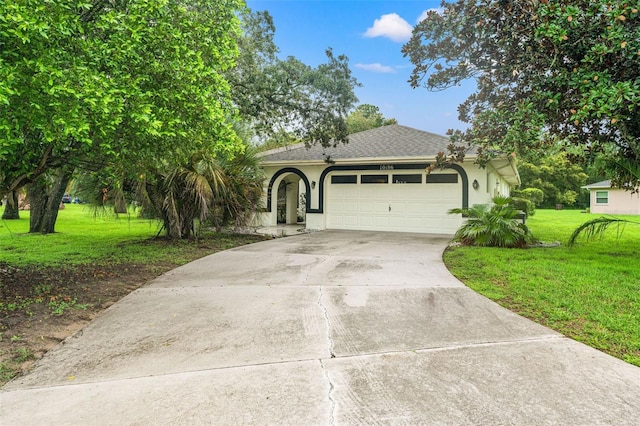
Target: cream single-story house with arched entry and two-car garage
(378, 182)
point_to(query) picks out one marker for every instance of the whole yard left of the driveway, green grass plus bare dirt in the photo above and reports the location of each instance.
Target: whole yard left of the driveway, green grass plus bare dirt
(52, 285)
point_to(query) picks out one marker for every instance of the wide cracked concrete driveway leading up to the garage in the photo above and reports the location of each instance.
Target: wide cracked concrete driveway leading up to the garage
(345, 328)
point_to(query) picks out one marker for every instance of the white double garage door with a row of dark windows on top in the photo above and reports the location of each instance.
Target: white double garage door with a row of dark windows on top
(397, 202)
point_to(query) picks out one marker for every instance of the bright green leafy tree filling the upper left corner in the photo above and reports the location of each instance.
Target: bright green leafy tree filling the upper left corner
(111, 81)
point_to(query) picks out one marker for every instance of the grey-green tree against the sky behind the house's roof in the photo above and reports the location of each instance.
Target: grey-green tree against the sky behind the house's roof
(278, 96)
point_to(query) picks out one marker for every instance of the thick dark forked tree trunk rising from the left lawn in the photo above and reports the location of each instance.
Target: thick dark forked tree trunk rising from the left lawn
(49, 202)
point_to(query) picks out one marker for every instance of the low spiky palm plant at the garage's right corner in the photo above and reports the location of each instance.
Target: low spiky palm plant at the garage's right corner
(493, 226)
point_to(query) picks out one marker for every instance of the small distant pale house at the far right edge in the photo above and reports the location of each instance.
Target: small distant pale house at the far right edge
(604, 199)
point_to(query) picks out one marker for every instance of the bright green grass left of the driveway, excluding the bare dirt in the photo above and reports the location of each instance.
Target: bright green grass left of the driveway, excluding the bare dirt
(82, 237)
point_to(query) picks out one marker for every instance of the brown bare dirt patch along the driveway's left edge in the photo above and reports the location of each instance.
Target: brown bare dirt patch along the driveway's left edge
(40, 307)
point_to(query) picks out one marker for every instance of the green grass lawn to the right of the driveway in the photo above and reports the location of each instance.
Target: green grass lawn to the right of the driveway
(589, 292)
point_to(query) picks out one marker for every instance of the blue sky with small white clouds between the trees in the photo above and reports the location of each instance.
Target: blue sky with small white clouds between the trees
(371, 33)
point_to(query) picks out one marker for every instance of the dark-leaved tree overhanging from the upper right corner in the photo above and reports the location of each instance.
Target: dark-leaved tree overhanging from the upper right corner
(548, 73)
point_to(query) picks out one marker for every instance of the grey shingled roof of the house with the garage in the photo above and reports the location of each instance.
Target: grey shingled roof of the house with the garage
(392, 141)
